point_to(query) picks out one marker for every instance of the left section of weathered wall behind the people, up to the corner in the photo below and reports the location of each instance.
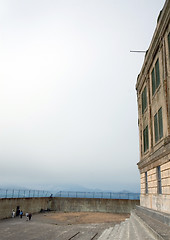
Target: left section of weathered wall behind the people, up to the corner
(32, 205)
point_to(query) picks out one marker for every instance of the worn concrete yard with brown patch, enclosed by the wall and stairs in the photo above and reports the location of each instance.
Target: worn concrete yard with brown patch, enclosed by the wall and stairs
(59, 226)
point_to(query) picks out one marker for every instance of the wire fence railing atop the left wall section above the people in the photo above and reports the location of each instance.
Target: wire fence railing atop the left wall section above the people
(13, 193)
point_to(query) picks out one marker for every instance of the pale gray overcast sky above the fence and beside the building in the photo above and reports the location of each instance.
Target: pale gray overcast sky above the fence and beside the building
(68, 109)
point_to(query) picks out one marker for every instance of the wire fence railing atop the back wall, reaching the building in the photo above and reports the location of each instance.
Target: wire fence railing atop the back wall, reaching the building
(104, 195)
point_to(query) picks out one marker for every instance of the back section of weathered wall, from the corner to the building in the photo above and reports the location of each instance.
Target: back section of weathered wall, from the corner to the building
(93, 205)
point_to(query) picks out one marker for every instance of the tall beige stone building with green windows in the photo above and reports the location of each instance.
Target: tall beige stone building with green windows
(153, 96)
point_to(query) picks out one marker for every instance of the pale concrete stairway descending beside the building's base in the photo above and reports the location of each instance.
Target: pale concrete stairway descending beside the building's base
(139, 226)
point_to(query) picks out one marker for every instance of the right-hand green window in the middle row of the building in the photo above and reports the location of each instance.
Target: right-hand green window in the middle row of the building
(158, 125)
